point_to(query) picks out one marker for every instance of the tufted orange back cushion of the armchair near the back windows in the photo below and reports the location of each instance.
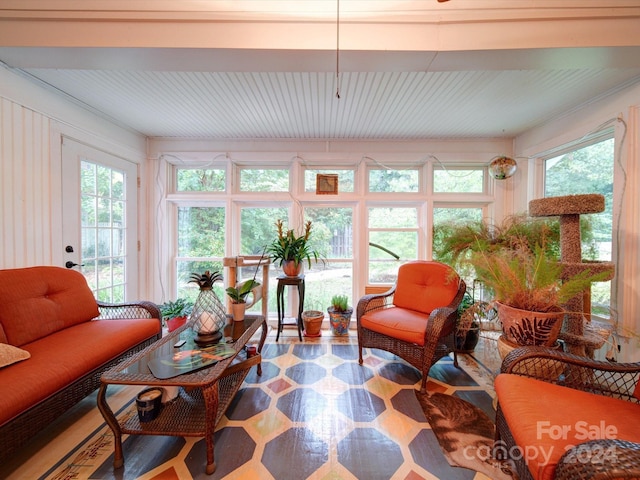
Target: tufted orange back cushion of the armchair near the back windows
(424, 286)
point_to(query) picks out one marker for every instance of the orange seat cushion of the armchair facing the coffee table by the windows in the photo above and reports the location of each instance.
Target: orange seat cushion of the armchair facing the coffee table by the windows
(401, 323)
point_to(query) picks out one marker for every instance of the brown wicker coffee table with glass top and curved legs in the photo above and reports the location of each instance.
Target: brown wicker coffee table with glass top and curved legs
(204, 394)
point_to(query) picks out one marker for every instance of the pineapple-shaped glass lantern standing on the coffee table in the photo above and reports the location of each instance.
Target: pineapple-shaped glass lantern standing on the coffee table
(208, 316)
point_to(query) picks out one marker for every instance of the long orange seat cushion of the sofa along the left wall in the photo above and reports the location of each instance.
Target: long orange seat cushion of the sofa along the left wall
(64, 356)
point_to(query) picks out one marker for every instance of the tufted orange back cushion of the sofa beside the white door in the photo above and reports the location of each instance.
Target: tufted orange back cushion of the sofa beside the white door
(37, 301)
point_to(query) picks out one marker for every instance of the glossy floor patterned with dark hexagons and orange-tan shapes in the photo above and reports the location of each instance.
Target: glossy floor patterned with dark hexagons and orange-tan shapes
(314, 413)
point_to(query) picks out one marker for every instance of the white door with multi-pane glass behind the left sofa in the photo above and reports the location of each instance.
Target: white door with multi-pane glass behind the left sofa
(99, 220)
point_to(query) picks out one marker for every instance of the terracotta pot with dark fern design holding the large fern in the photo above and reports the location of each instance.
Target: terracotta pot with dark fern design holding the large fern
(523, 327)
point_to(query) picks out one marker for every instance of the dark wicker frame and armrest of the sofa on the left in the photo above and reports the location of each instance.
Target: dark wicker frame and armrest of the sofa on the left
(21, 429)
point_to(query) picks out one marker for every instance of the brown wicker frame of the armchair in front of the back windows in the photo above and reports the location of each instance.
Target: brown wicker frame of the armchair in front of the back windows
(439, 337)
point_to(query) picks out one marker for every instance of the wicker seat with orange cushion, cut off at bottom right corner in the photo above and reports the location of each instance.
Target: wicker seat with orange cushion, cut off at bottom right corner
(563, 416)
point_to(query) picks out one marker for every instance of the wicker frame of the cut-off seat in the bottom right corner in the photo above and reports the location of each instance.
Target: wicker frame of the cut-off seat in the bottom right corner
(617, 380)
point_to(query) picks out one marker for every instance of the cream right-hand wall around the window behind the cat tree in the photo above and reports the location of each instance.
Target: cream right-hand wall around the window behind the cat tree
(622, 112)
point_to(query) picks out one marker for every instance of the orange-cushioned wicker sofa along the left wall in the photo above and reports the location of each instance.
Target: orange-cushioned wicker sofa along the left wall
(55, 342)
